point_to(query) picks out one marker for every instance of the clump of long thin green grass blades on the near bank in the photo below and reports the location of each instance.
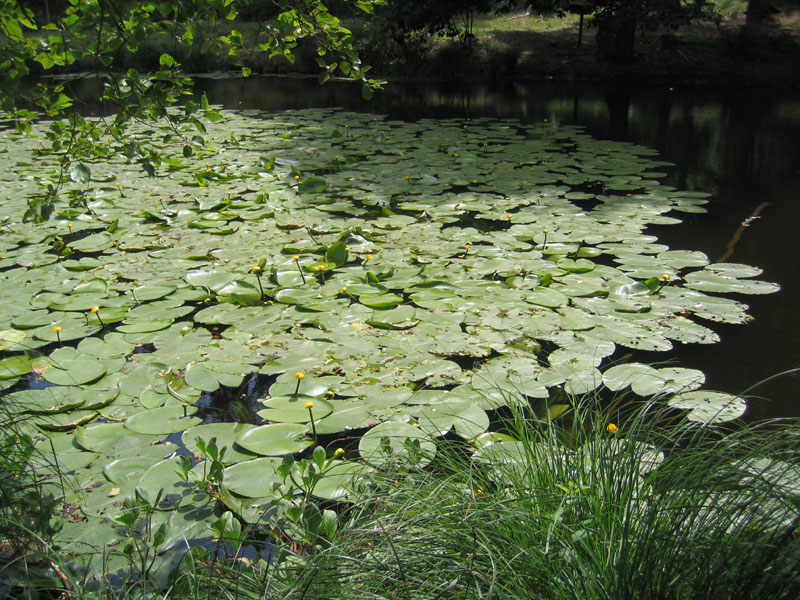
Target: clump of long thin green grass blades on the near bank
(654, 507)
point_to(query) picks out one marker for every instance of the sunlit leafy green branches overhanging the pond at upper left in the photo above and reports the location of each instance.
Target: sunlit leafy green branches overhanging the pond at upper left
(96, 33)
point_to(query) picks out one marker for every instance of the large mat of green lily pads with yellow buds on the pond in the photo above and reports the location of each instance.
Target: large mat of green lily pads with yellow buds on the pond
(416, 274)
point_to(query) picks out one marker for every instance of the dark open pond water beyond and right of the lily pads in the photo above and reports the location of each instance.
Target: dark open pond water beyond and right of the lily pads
(742, 146)
